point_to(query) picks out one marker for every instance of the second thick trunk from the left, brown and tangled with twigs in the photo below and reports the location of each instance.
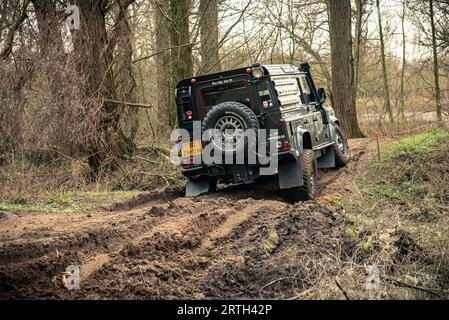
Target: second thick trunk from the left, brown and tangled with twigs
(94, 61)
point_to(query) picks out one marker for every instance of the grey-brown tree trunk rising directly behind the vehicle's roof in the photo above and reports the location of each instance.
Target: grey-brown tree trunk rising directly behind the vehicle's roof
(210, 60)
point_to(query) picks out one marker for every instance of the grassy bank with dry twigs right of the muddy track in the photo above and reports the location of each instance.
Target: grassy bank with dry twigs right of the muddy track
(404, 200)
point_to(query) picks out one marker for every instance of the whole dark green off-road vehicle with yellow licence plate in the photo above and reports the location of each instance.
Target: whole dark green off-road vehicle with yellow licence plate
(258, 97)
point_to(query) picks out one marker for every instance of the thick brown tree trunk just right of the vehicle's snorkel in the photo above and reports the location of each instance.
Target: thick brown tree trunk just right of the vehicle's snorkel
(343, 66)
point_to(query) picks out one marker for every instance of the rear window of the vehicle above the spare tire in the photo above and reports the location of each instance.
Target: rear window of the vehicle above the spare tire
(235, 91)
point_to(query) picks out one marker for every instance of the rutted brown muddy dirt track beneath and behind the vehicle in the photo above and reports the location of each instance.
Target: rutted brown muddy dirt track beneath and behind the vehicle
(240, 242)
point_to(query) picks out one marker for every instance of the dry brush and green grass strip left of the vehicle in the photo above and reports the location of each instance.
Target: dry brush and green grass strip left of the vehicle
(64, 184)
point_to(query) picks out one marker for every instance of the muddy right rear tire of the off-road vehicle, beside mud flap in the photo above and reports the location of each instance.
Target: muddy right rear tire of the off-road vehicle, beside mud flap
(310, 178)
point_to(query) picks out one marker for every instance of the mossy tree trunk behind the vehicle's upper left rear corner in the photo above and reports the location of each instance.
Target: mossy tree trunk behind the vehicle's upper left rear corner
(181, 54)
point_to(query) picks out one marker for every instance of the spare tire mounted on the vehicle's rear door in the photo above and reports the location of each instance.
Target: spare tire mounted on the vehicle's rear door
(233, 116)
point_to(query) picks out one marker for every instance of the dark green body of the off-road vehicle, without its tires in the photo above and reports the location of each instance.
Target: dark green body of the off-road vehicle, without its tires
(282, 97)
